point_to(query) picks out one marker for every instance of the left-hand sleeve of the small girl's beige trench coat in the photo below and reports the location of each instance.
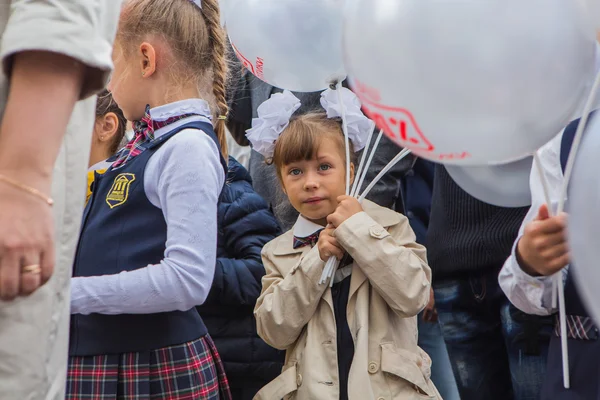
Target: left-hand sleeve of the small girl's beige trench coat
(286, 304)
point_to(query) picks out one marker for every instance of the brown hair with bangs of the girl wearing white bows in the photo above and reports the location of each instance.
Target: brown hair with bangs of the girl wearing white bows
(303, 136)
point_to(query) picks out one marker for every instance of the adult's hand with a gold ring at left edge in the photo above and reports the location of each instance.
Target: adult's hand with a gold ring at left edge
(26, 241)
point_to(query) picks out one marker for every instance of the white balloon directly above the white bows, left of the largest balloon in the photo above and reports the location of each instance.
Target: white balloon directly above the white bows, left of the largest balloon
(290, 44)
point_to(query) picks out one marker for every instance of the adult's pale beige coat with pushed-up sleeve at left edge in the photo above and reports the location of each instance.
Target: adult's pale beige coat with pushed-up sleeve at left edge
(34, 330)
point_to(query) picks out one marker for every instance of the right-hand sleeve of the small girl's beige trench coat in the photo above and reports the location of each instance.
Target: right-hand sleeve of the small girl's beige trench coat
(393, 262)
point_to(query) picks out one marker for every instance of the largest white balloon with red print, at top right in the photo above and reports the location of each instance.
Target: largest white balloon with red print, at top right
(467, 81)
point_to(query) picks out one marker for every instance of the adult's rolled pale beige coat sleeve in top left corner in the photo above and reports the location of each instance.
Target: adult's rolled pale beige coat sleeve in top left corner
(81, 29)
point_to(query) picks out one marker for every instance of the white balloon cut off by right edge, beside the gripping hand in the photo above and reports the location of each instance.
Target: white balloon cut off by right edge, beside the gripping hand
(584, 217)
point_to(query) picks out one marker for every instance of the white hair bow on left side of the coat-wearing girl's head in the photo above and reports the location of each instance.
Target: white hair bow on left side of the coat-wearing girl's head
(273, 117)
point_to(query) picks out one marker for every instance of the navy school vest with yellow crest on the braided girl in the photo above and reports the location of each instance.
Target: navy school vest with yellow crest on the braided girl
(123, 231)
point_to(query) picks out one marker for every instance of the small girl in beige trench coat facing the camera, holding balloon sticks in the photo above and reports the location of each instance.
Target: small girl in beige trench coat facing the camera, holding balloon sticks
(357, 340)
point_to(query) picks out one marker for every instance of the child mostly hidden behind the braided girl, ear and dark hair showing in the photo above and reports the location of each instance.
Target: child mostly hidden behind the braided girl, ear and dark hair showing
(109, 130)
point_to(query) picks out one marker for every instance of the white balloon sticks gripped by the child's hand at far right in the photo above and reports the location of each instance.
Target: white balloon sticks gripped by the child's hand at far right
(557, 279)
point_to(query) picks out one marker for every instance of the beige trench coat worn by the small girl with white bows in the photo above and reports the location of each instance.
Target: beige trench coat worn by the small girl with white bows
(389, 286)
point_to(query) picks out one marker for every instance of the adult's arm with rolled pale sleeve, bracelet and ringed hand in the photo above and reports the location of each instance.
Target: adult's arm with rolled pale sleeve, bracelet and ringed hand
(48, 73)
